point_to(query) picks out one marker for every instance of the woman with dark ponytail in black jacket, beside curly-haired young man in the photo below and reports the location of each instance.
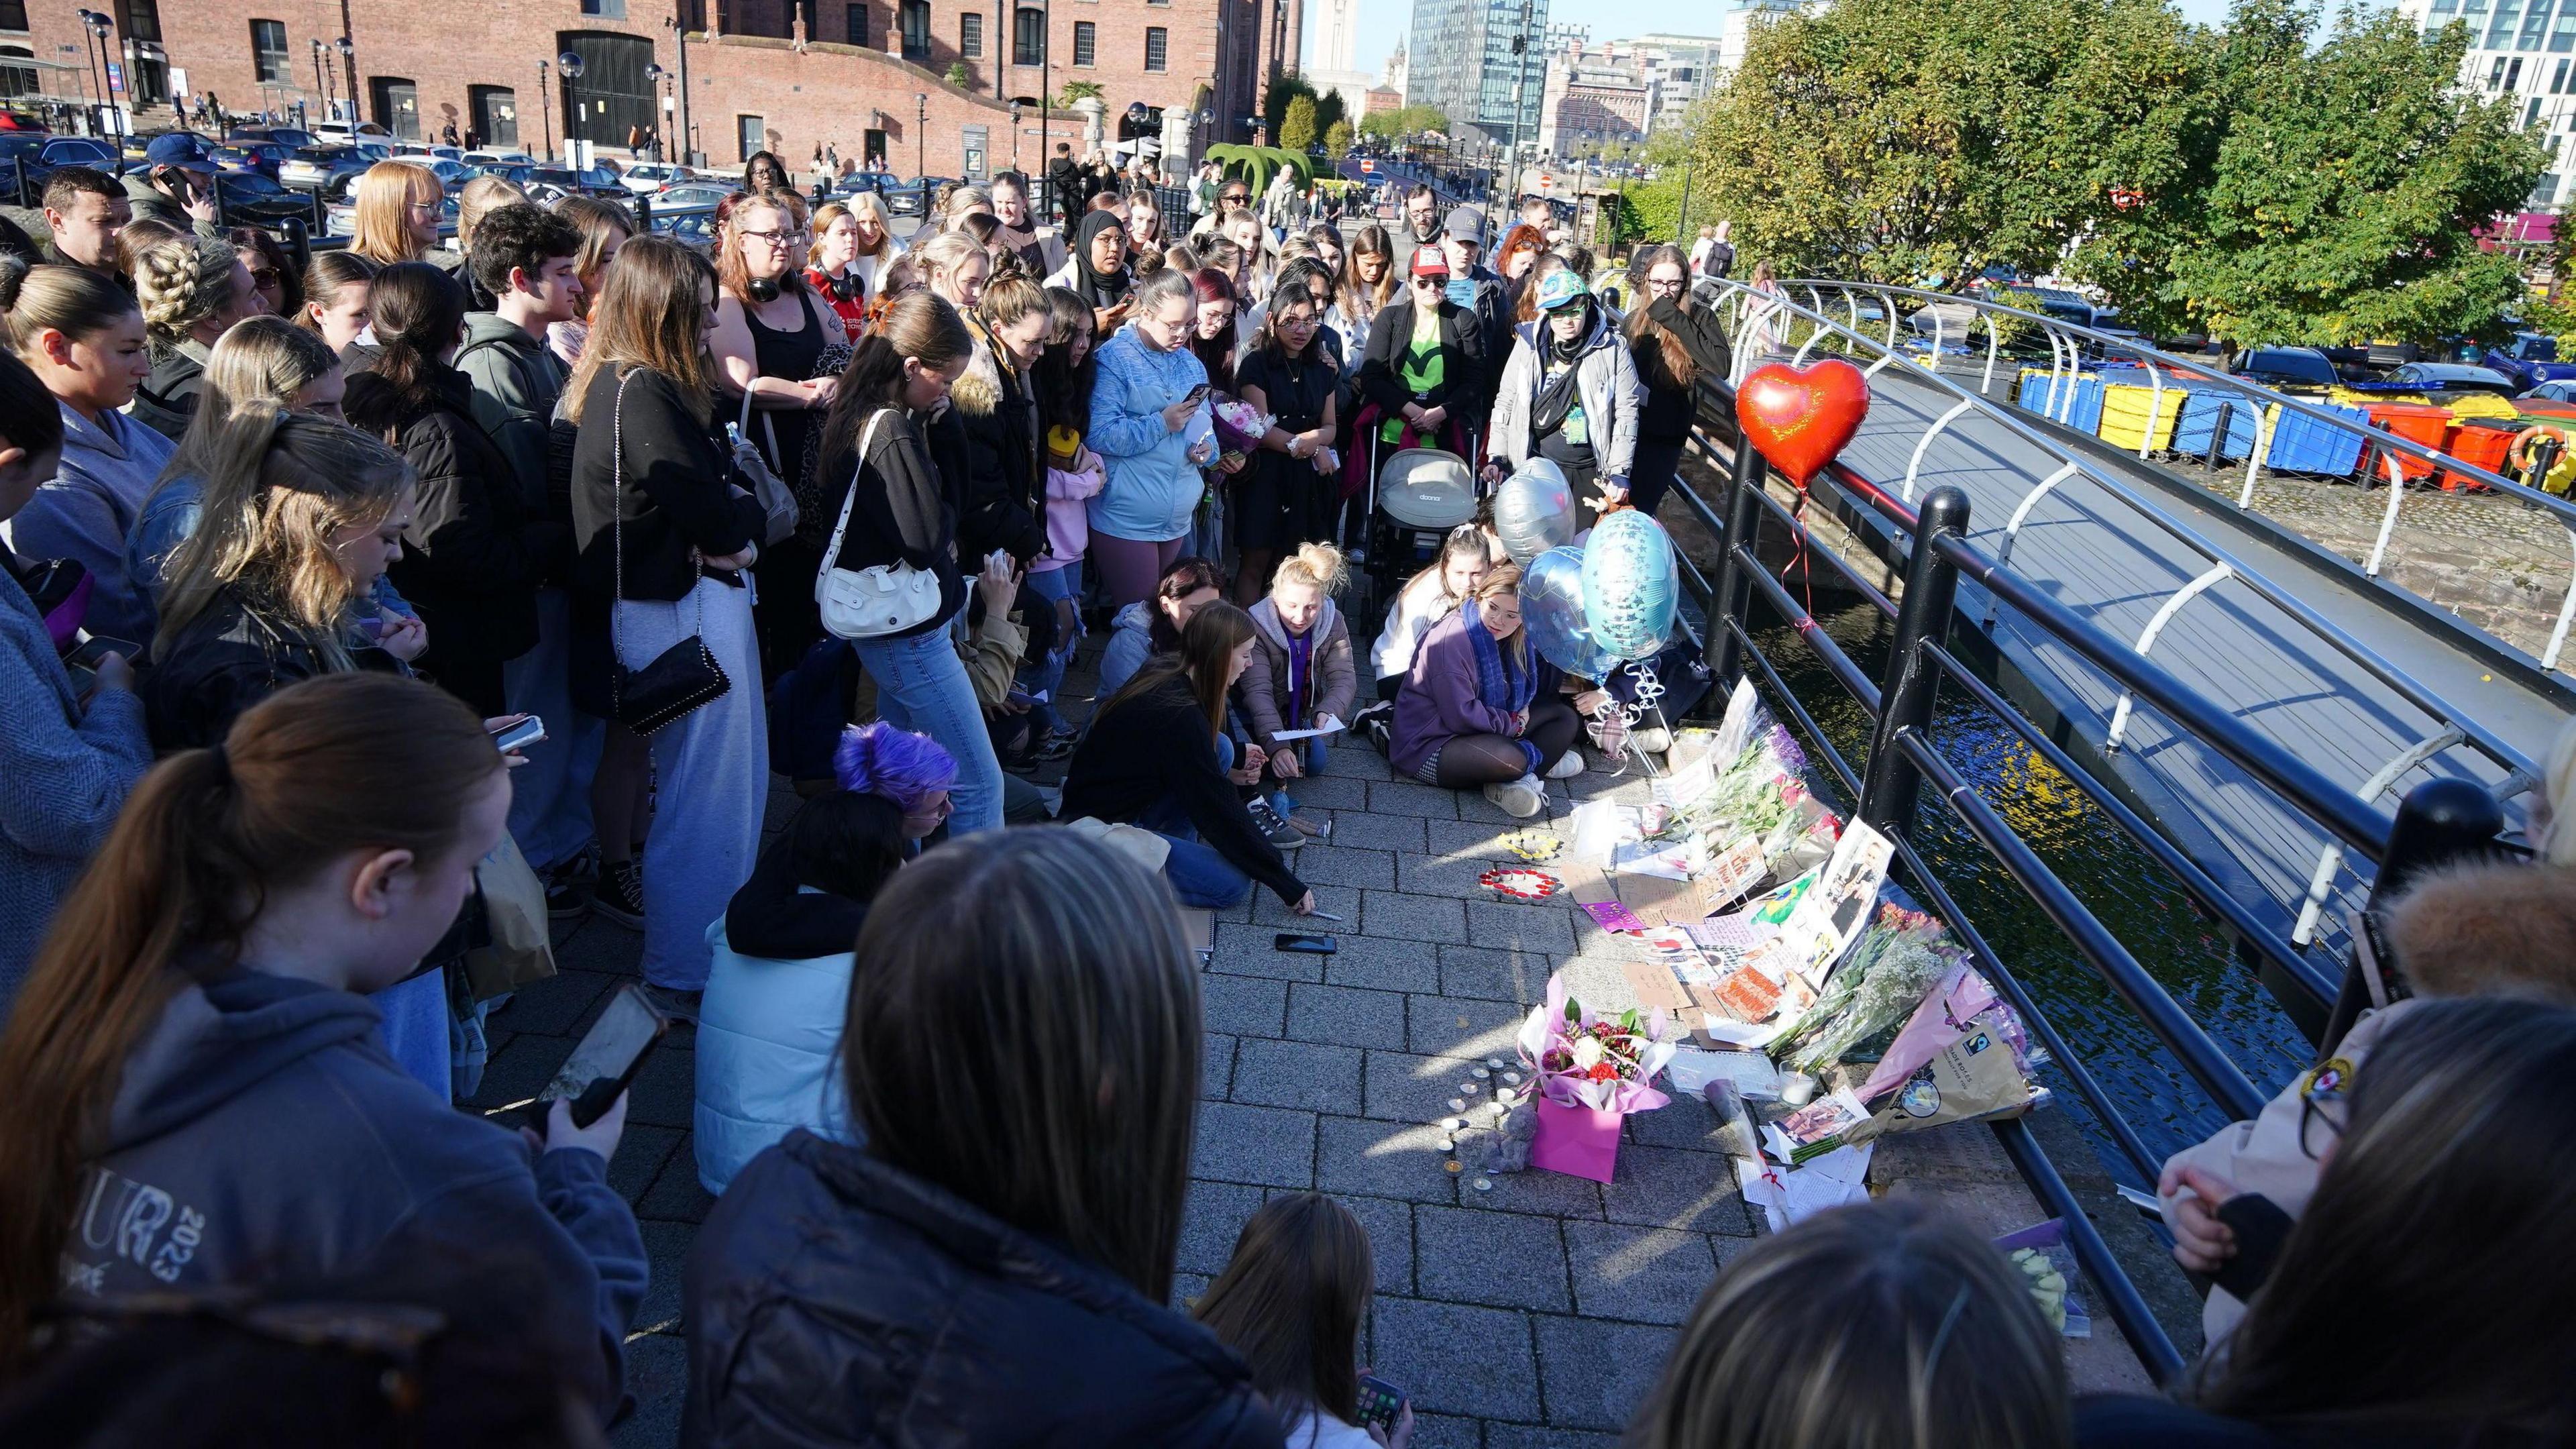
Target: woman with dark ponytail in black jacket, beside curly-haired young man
(475, 556)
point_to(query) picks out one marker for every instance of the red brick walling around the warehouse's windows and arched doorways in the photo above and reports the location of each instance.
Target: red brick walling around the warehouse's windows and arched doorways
(823, 94)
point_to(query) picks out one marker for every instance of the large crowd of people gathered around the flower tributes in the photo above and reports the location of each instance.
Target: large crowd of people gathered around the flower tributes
(290, 548)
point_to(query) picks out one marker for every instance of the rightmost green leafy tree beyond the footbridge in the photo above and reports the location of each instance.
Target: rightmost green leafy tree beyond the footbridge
(2348, 187)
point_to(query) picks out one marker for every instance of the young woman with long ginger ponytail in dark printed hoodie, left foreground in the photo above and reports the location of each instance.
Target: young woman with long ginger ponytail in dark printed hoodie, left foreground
(197, 1087)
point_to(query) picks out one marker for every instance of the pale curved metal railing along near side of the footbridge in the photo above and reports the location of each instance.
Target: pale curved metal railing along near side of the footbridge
(1756, 313)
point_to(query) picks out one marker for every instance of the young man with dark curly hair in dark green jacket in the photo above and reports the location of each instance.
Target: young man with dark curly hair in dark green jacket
(524, 257)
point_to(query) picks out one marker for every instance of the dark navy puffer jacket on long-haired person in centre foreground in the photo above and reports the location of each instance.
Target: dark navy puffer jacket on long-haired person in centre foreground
(841, 1301)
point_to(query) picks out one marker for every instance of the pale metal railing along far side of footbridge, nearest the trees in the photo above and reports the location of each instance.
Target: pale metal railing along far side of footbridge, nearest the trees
(2070, 344)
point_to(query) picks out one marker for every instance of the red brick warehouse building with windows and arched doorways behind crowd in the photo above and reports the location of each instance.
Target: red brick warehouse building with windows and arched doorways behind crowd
(864, 76)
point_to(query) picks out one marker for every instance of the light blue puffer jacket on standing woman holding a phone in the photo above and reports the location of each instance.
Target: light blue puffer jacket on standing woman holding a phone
(1153, 486)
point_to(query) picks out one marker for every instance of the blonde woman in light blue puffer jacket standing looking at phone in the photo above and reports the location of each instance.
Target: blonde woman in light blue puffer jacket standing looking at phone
(1153, 429)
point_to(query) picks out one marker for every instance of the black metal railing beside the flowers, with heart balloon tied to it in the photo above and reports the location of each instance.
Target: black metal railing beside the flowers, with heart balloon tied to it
(1902, 759)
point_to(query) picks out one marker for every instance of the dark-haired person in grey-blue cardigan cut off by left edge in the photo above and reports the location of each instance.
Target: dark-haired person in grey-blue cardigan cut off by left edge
(66, 762)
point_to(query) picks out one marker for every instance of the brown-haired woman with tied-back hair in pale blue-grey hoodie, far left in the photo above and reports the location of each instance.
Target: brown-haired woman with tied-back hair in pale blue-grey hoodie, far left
(86, 344)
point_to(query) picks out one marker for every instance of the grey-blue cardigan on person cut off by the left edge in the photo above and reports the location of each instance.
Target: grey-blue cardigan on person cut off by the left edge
(63, 780)
